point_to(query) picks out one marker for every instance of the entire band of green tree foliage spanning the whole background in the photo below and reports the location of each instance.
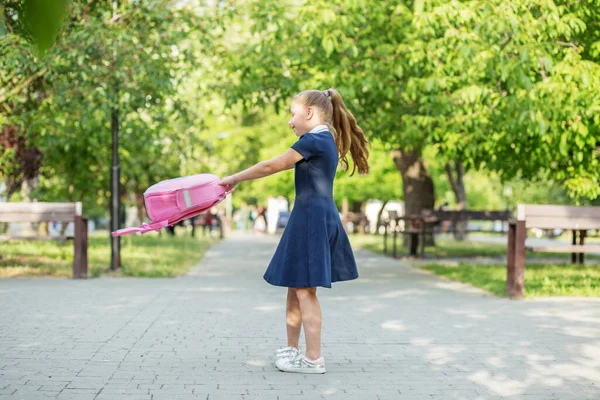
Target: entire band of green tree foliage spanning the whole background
(510, 87)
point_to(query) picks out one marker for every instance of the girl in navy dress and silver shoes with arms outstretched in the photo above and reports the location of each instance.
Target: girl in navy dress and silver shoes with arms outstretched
(314, 249)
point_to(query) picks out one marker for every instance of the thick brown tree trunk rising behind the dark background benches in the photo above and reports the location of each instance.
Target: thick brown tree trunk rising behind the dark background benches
(417, 186)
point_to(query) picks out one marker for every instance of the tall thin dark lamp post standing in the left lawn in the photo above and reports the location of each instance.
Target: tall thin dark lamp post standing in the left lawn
(115, 248)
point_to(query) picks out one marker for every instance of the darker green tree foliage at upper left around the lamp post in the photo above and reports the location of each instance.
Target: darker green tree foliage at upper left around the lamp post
(63, 103)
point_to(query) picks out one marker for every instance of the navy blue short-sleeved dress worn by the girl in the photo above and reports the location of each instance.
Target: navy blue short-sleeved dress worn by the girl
(314, 249)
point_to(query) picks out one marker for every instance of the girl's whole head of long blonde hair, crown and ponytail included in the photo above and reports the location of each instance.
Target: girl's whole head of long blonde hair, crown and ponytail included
(348, 135)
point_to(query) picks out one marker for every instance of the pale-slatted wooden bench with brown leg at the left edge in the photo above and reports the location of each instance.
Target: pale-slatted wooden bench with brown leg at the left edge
(46, 212)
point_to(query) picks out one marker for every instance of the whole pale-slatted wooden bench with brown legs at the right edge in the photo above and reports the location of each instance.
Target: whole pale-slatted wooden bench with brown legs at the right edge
(576, 219)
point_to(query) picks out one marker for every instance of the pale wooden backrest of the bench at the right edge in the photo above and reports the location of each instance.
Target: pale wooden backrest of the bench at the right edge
(554, 216)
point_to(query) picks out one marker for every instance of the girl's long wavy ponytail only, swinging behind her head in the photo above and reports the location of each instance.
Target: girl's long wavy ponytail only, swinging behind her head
(349, 136)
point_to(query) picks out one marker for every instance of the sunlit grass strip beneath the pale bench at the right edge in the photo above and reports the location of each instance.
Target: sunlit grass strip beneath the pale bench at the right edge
(541, 280)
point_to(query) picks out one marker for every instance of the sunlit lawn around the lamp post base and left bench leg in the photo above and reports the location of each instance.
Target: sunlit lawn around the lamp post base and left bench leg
(149, 255)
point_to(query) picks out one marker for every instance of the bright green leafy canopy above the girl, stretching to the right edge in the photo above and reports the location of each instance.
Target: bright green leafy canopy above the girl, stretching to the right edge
(511, 87)
